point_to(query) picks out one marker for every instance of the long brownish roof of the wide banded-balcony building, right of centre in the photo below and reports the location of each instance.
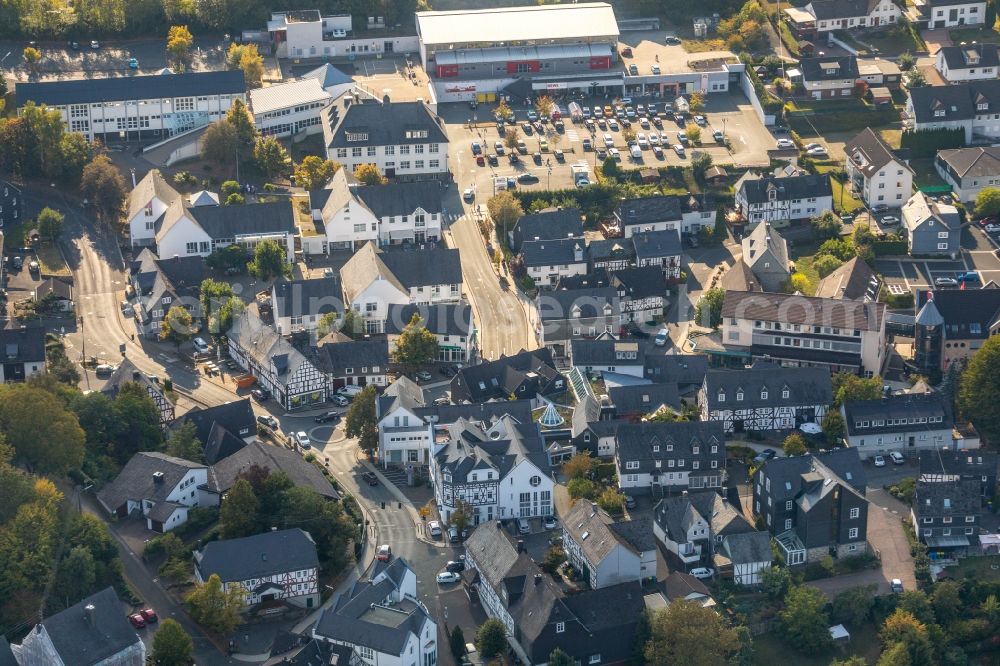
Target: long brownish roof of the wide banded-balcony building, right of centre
(795, 309)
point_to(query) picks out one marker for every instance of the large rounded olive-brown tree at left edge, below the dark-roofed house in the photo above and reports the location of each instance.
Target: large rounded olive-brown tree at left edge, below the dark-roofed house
(46, 437)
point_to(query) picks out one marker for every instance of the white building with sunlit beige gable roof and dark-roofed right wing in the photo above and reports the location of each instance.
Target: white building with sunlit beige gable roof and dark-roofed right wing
(373, 279)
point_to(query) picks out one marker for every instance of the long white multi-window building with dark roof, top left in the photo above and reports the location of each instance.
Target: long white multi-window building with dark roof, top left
(128, 108)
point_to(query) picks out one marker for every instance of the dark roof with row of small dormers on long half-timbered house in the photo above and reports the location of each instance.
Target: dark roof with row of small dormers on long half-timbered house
(805, 385)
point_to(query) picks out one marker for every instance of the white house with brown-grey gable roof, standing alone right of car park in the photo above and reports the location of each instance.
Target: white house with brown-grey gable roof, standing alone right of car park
(876, 174)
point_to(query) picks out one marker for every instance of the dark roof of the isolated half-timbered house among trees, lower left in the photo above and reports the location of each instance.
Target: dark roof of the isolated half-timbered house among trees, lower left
(257, 556)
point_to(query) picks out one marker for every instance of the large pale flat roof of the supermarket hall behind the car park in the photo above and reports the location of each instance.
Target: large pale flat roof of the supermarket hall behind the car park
(511, 24)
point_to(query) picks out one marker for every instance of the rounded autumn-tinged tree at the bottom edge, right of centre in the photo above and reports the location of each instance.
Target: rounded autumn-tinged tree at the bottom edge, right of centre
(687, 633)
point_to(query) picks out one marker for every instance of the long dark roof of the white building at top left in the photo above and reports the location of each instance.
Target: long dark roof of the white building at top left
(123, 88)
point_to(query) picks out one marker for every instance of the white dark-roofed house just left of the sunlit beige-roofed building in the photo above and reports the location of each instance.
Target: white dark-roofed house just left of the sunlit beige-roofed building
(298, 305)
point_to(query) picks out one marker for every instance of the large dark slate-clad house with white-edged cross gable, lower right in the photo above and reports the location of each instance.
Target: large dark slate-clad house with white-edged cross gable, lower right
(814, 505)
